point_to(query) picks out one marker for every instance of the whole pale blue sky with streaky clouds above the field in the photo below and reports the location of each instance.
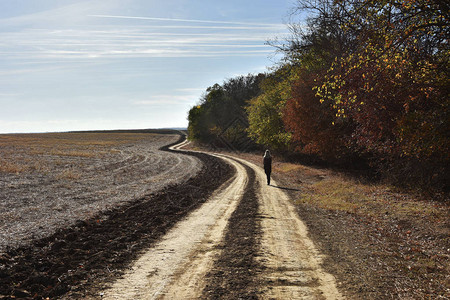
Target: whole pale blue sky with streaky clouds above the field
(122, 64)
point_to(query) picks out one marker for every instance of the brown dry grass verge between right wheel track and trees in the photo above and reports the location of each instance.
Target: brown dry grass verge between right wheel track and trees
(397, 240)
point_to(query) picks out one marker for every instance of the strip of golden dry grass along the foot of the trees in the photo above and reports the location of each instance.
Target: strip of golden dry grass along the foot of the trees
(327, 190)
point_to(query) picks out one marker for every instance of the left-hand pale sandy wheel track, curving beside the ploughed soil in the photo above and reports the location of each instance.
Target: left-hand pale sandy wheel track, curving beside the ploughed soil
(176, 266)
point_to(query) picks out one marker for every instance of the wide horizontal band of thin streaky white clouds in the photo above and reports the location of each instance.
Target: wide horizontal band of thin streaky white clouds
(120, 43)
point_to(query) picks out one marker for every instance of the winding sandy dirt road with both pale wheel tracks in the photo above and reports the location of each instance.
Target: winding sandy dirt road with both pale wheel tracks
(185, 264)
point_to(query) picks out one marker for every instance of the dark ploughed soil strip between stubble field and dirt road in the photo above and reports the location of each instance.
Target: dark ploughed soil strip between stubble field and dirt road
(69, 262)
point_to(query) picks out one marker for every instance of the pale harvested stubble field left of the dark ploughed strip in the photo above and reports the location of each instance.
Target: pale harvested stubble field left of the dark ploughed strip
(49, 181)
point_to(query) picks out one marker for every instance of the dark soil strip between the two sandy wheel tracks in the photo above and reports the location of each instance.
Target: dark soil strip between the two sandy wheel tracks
(235, 272)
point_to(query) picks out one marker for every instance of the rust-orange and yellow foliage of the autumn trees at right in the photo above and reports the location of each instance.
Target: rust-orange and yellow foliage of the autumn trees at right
(387, 91)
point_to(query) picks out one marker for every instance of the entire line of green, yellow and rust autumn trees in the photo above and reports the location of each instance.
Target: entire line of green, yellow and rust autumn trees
(361, 80)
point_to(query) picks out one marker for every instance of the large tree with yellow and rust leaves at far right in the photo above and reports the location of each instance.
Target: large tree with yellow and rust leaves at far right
(393, 83)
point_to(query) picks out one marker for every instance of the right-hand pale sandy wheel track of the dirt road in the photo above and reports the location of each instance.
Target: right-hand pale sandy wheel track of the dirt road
(292, 262)
